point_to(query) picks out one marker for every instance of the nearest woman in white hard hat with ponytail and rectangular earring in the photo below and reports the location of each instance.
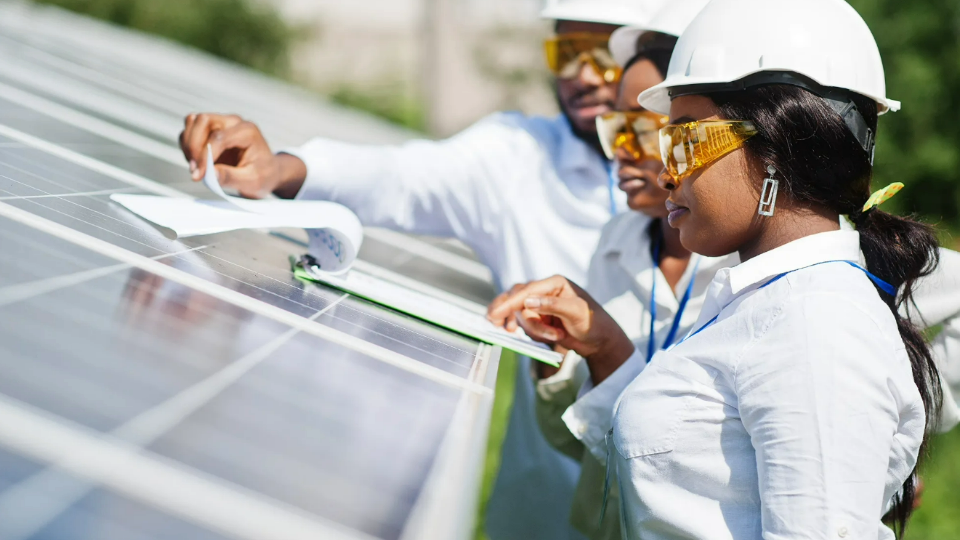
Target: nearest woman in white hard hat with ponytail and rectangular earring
(797, 406)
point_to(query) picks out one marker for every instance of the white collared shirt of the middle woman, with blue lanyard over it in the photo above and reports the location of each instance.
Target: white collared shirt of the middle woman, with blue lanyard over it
(621, 278)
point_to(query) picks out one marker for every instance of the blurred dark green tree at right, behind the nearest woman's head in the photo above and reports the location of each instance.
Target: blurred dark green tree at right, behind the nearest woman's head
(920, 146)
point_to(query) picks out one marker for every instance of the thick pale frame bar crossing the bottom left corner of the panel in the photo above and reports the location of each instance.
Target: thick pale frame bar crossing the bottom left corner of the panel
(161, 483)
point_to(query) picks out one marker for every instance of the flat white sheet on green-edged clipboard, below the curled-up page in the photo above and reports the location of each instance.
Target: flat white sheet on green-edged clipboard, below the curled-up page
(435, 311)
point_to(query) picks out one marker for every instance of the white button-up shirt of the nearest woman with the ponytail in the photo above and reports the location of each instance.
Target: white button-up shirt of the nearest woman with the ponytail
(793, 415)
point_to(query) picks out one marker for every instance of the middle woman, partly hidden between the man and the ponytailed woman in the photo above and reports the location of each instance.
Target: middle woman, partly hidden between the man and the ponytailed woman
(648, 282)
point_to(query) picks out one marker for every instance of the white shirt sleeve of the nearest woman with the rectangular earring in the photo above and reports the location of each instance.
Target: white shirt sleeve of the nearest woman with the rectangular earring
(834, 419)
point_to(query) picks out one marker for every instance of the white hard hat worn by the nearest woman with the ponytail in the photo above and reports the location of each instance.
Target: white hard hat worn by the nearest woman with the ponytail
(824, 42)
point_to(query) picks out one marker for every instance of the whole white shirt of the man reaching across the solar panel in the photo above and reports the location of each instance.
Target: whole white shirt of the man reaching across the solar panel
(530, 198)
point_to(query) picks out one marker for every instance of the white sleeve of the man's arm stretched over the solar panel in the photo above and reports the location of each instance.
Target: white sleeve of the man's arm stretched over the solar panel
(455, 187)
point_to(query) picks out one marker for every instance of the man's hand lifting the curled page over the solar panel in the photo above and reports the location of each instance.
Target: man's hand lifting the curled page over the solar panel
(242, 156)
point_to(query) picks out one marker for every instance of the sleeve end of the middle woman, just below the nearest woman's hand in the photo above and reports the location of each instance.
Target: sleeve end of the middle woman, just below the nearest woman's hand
(554, 395)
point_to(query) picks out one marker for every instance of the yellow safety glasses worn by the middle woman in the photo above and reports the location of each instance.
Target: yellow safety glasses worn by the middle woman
(634, 131)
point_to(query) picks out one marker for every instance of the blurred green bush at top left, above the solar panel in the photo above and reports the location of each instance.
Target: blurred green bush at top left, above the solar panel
(245, 31)
